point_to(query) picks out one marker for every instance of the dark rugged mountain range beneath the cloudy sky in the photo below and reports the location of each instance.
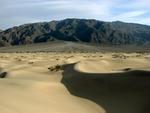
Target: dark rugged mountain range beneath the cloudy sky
(77, 30)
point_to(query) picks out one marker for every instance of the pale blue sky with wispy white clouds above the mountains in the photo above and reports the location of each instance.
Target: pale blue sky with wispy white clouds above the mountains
(17, 12)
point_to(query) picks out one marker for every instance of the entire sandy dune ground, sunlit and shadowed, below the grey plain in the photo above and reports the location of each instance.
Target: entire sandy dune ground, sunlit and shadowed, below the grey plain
(74, 82)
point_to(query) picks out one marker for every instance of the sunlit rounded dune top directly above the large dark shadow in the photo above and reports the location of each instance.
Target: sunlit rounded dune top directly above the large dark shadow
(112, 66)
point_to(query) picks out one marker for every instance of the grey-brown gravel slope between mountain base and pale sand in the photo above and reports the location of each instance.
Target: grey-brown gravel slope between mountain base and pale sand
(67, 47)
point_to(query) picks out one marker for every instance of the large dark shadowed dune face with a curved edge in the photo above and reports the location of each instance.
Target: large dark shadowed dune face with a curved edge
(127, 92)
